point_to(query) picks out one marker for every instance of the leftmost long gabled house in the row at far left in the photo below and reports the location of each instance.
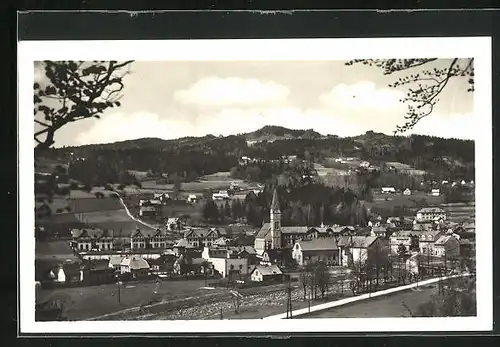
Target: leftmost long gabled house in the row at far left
(88, 239)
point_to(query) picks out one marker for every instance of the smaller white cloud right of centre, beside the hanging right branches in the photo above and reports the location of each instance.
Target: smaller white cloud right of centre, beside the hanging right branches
(361, 95)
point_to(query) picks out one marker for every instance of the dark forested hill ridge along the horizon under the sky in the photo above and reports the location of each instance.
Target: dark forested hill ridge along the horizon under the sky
(208, 154)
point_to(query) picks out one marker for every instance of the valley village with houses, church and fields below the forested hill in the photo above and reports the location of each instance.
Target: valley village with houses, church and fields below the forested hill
(164, 252)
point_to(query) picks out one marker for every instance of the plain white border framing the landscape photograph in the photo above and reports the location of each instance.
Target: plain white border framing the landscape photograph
(263, 50)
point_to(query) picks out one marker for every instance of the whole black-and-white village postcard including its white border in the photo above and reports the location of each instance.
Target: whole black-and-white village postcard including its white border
(323, 181)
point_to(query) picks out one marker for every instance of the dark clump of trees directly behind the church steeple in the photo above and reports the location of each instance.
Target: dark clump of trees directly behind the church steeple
(307, 205)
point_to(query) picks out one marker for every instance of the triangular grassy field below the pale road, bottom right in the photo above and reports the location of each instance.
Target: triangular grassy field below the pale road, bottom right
(385, 306)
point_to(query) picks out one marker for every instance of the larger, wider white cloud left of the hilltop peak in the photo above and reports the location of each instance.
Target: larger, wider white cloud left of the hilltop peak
(215, 91)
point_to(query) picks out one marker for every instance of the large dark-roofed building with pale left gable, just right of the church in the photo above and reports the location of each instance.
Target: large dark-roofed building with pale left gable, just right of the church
(310, 252)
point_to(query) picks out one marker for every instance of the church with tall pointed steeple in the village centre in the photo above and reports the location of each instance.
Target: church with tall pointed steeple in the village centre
(274, 236)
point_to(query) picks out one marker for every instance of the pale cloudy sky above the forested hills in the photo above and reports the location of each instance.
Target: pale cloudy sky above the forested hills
(175, 99)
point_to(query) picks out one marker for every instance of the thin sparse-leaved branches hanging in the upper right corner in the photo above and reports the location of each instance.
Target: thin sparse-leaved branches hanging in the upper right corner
(424, 84)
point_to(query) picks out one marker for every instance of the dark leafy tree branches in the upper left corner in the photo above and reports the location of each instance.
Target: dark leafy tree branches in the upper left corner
(74, 90)
